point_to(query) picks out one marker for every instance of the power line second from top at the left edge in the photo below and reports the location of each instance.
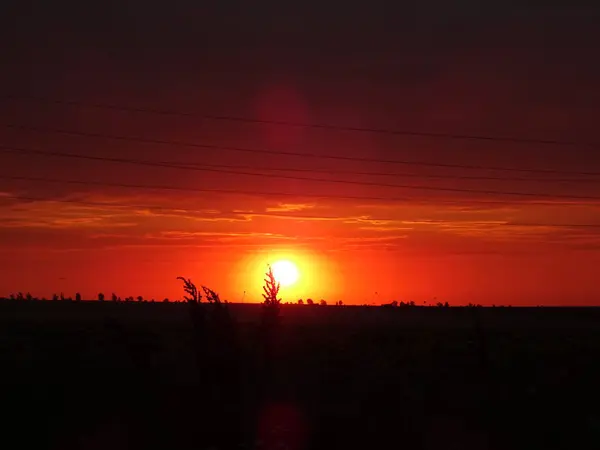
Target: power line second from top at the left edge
(286, 153)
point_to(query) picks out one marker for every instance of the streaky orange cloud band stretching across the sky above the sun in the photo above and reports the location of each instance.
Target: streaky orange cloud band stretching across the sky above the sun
(111, 223)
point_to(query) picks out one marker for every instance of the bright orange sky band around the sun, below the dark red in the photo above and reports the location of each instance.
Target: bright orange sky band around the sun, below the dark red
(418, 252)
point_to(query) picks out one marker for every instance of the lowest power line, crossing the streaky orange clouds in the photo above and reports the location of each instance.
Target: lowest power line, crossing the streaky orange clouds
(299, 217)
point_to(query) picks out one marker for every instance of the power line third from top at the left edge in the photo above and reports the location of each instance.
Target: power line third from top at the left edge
(290, 177)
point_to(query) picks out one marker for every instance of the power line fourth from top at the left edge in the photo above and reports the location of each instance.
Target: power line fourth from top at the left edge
(259, 193)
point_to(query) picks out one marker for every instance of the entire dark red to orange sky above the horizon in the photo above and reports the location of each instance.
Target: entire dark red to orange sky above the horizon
(494, 69)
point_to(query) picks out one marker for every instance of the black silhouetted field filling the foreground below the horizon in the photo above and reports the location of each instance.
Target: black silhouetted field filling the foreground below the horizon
(115, 376)
